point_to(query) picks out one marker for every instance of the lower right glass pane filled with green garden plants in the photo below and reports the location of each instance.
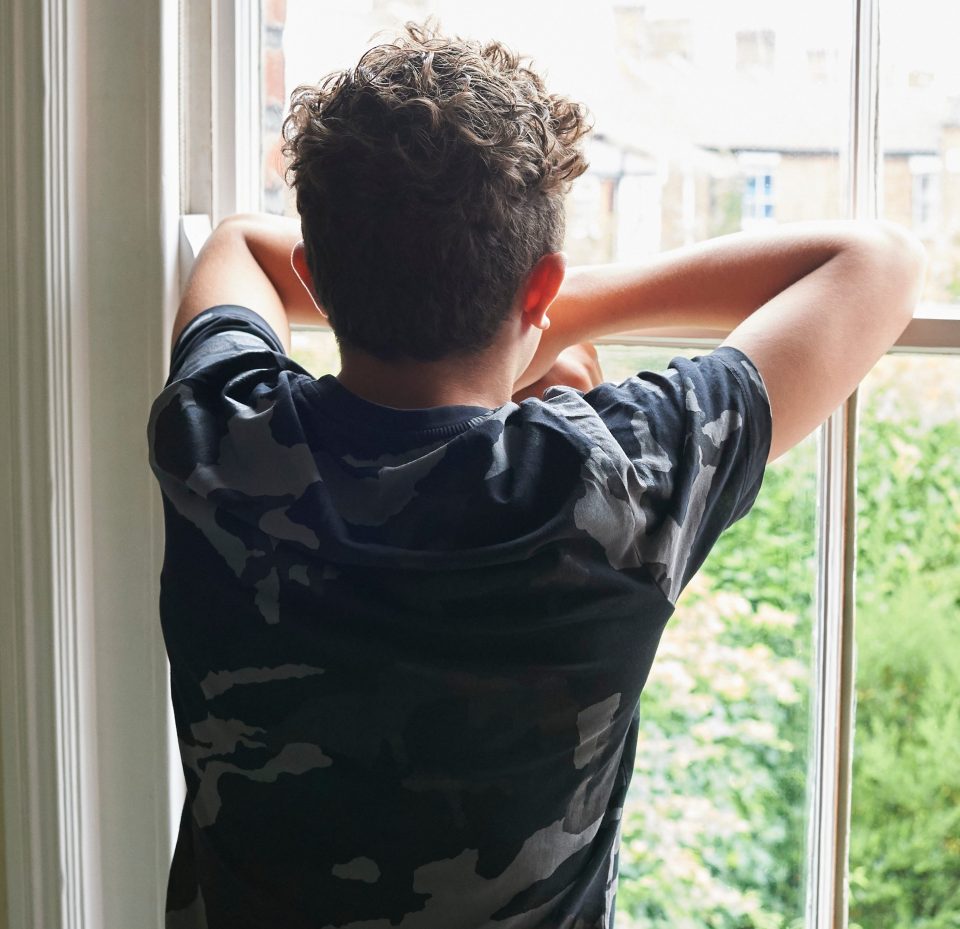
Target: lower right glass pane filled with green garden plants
(905, 838)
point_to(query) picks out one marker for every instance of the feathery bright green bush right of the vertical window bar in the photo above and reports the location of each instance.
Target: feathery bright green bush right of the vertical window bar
(905, 843)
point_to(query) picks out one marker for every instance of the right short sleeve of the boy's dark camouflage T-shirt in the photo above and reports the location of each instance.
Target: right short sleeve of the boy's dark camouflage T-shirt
(697, 437)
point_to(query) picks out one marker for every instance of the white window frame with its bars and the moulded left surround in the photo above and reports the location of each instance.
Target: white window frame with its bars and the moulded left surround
(91, 276)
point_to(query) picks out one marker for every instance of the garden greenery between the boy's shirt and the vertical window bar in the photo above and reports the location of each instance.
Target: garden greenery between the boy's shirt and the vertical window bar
(714, 832)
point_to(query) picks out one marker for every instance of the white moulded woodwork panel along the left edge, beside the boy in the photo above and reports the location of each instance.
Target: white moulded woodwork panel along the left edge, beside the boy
(88, 211)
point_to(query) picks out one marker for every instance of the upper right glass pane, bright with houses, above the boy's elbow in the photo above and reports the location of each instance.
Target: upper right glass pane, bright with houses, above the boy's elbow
(920, 134)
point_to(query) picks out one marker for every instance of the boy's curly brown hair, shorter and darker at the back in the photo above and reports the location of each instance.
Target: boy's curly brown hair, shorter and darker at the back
(429, 180)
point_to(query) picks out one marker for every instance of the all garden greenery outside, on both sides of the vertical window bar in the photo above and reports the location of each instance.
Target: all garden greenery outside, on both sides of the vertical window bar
(714, 832)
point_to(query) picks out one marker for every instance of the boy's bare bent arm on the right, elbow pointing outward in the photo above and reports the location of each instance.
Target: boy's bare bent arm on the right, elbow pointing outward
(813, 305)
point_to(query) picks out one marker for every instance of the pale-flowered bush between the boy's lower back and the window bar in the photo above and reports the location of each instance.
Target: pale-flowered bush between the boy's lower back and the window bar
(700, 847)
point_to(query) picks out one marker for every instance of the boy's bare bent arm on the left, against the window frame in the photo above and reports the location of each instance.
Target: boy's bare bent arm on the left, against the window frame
(246, 262)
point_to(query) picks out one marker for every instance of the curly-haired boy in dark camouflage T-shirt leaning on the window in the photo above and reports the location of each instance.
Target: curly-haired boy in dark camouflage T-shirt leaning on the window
(409, 618)
